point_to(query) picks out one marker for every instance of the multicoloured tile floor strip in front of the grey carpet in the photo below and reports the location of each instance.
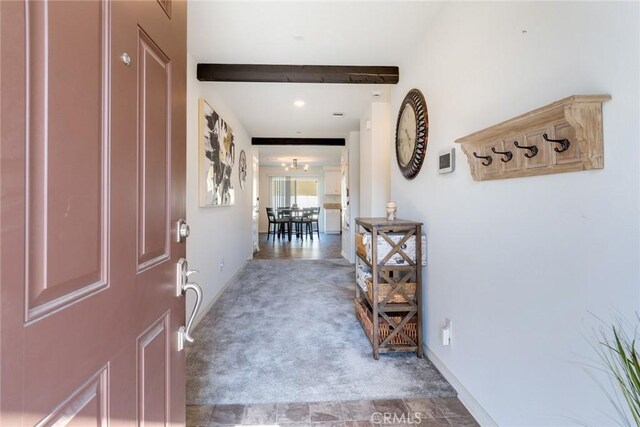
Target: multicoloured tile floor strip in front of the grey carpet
(438, 412)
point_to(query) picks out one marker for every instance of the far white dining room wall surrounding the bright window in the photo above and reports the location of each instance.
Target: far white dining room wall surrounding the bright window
(266, 172)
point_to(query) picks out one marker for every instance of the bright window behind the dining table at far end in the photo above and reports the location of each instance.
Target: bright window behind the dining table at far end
(292, 191)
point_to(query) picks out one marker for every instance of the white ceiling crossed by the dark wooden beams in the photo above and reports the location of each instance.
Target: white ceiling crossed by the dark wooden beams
(303, 33)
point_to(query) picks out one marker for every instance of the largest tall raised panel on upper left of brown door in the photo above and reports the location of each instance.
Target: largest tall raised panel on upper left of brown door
(66, 150)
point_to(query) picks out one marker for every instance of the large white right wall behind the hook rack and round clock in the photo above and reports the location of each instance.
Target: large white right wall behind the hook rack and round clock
(518, 265)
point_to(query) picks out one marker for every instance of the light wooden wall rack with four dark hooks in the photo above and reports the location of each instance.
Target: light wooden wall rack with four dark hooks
(564, 136)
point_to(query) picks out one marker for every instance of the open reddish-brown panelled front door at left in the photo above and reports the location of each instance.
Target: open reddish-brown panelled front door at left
(92, 183)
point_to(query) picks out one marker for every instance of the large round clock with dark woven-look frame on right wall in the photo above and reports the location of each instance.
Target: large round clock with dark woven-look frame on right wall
(412, 132)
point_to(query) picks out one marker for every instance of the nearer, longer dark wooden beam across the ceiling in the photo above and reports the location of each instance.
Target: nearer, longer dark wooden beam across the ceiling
(354, 74)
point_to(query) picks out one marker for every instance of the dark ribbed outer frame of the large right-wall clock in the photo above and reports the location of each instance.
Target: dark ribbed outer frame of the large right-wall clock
(414, 100)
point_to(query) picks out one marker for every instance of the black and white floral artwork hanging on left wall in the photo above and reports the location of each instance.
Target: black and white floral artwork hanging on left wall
(216, 155)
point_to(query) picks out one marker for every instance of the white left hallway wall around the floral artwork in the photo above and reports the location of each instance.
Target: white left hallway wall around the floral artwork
(220, 232)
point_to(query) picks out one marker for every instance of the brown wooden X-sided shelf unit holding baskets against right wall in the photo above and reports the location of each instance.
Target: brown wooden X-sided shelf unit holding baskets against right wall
(397, 276)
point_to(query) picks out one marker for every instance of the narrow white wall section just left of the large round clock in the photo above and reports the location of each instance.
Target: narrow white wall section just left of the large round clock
(375, 152)
